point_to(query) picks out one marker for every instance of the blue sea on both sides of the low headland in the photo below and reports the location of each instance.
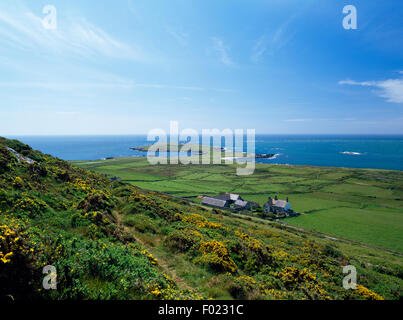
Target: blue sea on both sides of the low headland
(355, 151)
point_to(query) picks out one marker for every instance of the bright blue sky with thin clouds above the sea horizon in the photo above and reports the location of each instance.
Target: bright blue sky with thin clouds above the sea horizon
(125, 67)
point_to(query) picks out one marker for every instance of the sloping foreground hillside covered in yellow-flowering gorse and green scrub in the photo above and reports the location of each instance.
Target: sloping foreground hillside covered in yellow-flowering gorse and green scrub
(117, 241)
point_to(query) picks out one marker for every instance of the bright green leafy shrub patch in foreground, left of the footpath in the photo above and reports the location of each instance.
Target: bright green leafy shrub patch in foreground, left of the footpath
(99, 269)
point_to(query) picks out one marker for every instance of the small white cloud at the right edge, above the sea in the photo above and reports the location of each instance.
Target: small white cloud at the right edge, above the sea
(390, 89)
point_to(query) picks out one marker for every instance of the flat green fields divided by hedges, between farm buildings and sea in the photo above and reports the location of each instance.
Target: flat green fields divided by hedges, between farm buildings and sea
(358, 204)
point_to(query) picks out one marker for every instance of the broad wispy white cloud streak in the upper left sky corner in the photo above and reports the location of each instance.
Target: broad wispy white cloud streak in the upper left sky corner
(21, 28)
